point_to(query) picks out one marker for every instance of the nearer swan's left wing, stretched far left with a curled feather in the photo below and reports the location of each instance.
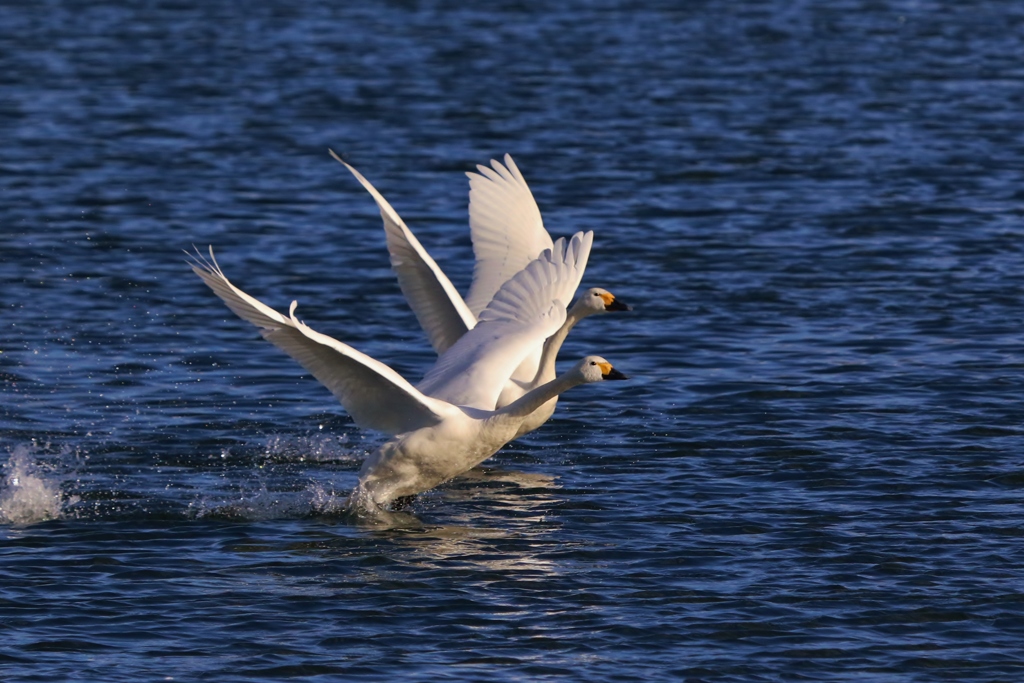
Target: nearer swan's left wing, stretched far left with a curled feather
(375, 396)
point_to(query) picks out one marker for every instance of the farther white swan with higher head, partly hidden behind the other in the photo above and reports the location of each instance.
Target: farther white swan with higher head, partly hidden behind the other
(508, 233)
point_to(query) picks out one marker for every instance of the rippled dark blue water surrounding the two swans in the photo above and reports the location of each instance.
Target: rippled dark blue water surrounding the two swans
(816, 475)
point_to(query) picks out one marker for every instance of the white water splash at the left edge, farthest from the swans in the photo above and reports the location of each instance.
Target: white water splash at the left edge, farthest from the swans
(31, 493)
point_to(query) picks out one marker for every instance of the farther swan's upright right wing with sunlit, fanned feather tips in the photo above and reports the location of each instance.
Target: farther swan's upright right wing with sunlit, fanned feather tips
(506, 228)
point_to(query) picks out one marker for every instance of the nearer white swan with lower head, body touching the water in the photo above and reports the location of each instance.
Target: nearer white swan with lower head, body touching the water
(434, 441)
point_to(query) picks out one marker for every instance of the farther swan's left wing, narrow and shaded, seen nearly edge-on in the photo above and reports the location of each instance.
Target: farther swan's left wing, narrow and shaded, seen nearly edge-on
(439, 308)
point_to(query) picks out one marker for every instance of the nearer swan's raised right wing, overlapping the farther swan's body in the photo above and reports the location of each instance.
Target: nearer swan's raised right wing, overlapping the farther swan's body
(527, 311)
